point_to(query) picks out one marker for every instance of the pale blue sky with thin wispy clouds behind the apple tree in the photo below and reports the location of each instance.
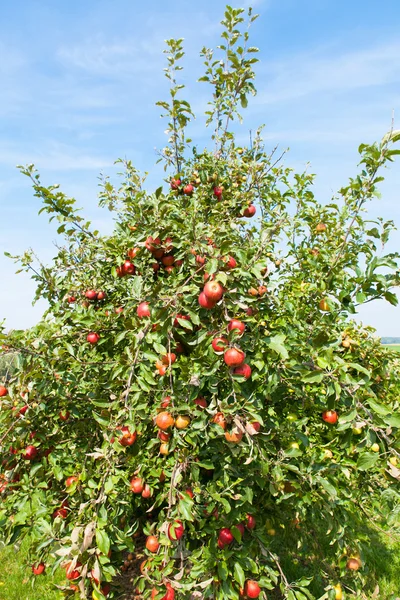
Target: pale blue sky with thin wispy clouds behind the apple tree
(79, 81)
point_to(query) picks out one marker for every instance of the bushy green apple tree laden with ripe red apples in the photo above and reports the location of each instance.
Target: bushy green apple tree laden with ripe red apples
(198, 390)
